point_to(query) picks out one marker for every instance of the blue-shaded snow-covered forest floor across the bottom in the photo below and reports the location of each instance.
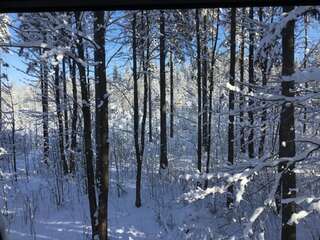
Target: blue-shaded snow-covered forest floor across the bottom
(34, 208)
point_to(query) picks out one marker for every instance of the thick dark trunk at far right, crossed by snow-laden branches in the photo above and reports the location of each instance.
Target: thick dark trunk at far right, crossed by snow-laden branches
(287, 147)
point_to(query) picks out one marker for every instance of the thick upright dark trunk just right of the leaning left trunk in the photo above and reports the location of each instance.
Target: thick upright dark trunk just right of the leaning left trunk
(102, 144)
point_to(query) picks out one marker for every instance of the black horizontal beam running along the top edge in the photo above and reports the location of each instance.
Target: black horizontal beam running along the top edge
(81, 5)
